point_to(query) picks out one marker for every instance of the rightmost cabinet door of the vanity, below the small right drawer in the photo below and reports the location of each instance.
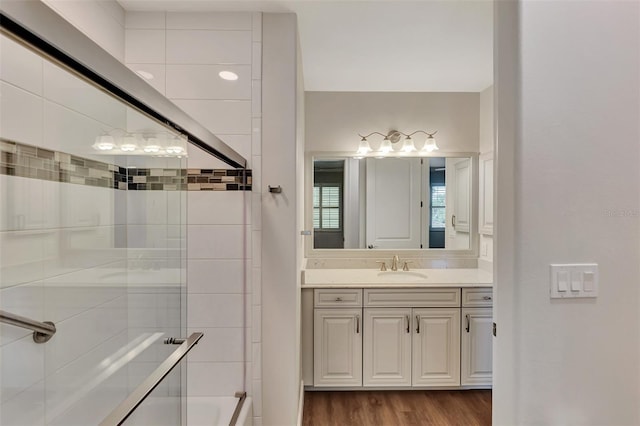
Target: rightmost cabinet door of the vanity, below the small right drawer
(476, 346)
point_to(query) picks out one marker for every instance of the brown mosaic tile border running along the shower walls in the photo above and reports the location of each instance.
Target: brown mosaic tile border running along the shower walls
(29, 161)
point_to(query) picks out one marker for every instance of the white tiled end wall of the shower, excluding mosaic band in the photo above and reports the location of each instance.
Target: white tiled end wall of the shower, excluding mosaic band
(198, 46)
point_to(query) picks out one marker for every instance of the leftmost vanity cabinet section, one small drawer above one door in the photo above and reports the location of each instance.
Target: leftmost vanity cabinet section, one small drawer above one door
(337, 338)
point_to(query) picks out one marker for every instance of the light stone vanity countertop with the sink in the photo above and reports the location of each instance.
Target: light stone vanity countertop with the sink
(415, 278)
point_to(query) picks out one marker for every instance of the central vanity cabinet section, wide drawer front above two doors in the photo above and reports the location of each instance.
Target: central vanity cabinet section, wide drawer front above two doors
(411, 337)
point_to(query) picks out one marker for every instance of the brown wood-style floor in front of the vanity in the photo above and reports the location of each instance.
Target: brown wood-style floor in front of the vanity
(397, 408)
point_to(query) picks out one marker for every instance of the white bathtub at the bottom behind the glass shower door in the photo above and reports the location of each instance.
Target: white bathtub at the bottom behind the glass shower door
(201, 411)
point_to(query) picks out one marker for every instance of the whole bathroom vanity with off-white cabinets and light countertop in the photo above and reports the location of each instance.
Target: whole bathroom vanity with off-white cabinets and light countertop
(364, 328)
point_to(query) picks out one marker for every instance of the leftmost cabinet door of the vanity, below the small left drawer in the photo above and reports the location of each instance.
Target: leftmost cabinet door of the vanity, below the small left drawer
(337, 347)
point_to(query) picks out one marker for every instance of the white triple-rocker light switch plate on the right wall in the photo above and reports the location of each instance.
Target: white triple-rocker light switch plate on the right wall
(573, 280)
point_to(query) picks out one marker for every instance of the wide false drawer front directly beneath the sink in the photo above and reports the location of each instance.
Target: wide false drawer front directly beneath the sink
(413, 298)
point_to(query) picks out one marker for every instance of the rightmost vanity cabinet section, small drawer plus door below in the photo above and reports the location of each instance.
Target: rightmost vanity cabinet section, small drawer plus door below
(477, 329)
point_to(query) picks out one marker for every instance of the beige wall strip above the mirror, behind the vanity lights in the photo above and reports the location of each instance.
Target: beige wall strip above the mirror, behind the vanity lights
(334, 119)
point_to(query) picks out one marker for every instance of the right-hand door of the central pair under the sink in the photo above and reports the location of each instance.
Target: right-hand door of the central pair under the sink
(436, 347)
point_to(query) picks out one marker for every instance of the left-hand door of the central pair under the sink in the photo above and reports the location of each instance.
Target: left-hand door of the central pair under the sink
(387, 347)
